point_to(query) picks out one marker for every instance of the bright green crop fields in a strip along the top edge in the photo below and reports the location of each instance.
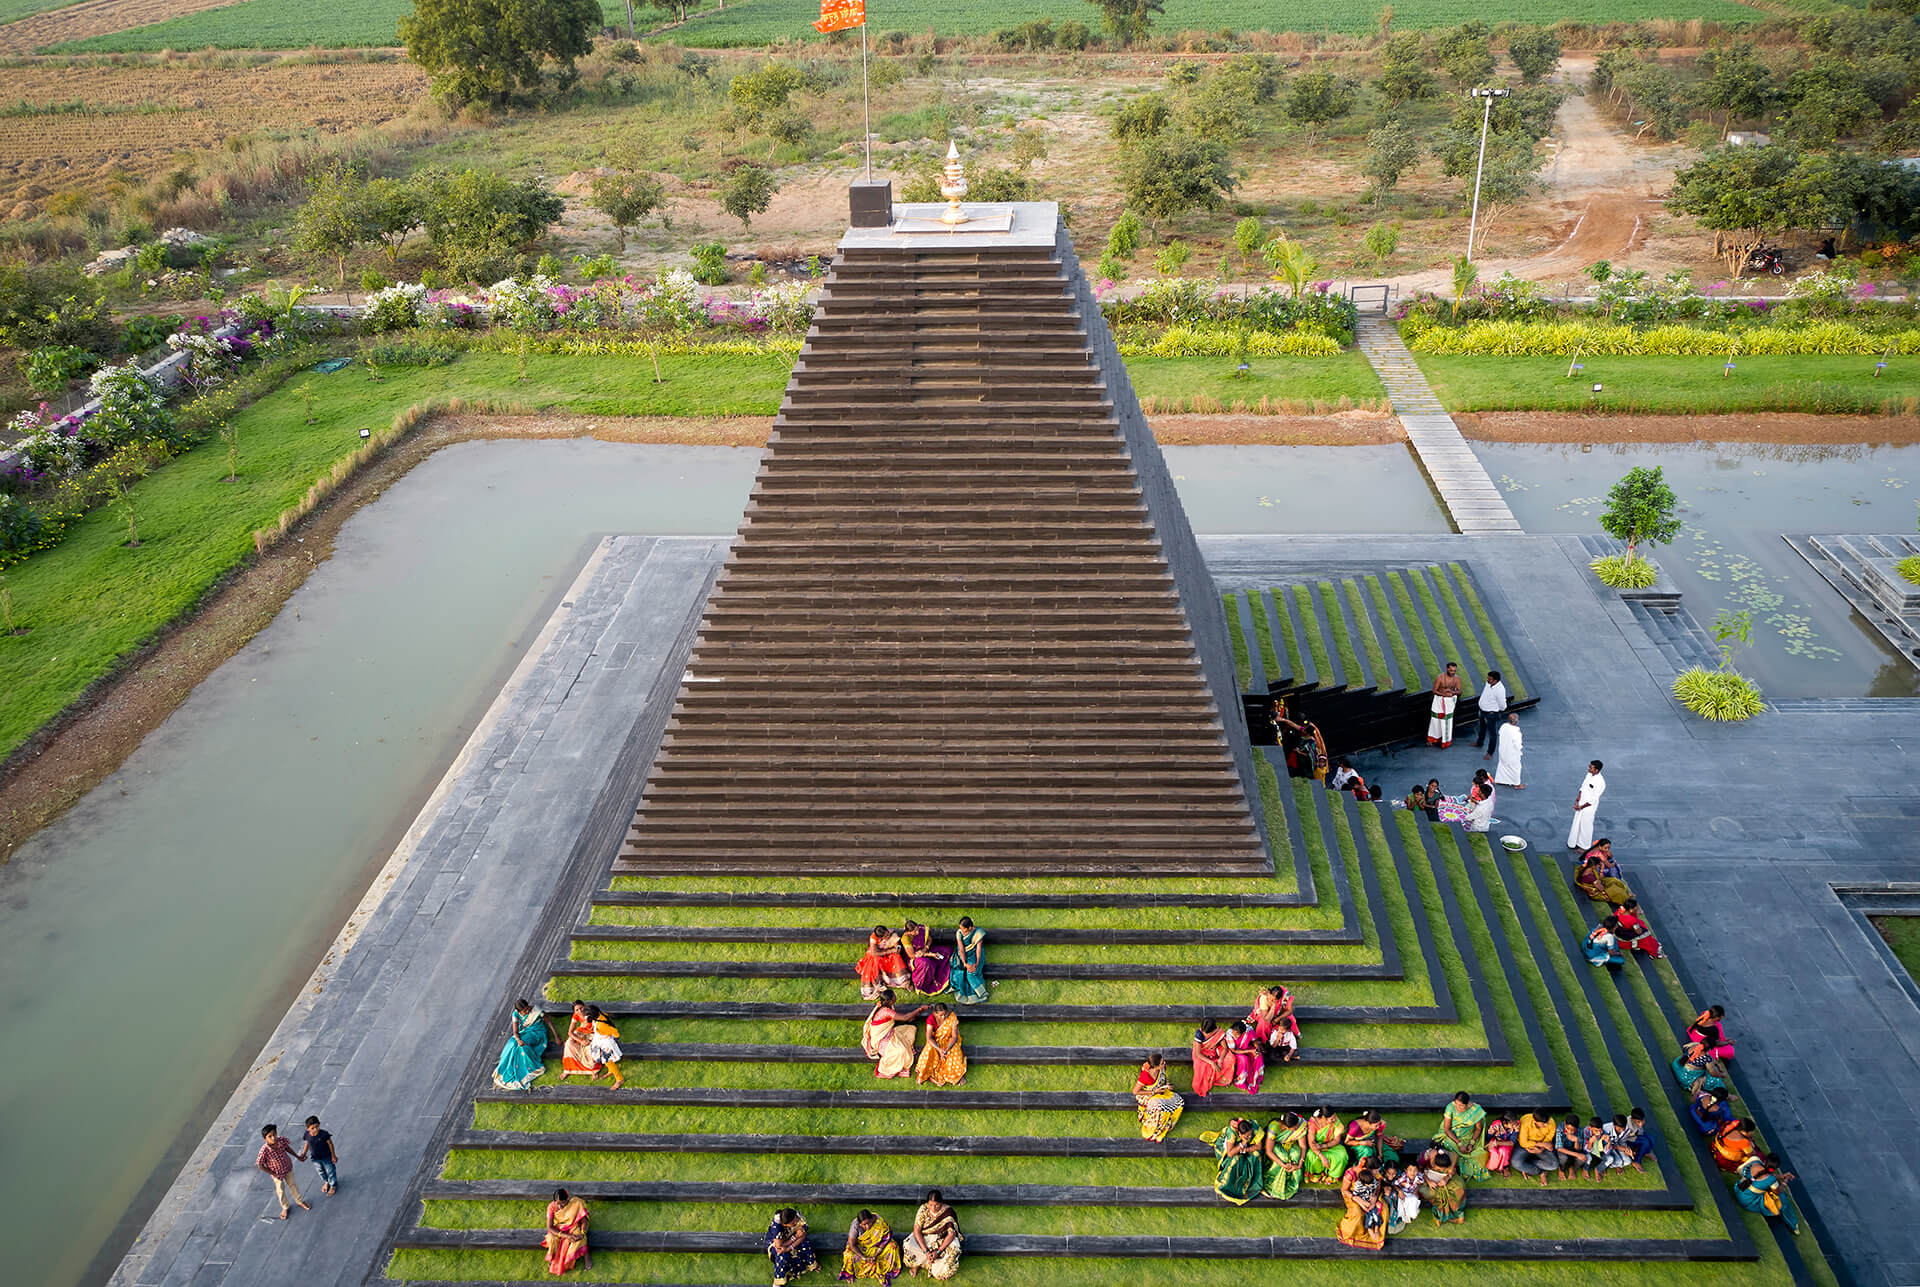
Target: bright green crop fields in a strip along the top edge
(297, 24)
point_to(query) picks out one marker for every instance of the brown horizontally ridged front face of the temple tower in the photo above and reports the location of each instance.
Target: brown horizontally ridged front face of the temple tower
(948, 637)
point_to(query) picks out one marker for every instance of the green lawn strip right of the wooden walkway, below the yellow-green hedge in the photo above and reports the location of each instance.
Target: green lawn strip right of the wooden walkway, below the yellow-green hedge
(1685, 385)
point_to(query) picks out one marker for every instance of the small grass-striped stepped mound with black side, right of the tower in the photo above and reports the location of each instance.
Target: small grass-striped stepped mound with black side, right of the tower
(1358, 652)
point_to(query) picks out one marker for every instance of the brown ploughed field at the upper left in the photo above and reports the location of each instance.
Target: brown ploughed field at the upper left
(91, 128)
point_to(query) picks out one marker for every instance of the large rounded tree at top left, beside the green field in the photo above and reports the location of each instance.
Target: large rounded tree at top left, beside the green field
(492, 51)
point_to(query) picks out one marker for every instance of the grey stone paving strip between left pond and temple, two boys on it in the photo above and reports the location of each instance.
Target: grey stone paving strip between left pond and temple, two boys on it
(379, 1046)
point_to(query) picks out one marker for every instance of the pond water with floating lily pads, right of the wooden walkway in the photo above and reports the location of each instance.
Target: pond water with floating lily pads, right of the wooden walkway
(1739, 498)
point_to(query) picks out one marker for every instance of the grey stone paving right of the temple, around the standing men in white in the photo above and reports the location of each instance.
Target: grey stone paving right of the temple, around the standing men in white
(1733, 837)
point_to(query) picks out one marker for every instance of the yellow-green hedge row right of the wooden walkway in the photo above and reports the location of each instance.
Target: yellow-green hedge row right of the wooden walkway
(1564, 339)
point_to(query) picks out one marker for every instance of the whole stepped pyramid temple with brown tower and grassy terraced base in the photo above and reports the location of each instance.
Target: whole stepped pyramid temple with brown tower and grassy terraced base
(965, 660)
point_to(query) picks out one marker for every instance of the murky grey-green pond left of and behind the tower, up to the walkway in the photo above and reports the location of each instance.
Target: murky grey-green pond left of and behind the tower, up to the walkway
(158, 933)
